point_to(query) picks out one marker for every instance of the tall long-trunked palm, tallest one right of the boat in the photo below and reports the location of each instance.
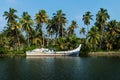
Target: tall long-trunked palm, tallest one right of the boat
(101, 18)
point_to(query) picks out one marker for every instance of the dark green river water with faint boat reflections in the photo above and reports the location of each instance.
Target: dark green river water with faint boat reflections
(60, 68)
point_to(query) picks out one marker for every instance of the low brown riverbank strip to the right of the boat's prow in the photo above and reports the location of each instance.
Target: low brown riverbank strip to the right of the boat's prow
(112, 54)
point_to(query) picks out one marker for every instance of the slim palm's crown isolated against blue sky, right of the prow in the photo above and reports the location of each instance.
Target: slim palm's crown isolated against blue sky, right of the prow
(86, 18)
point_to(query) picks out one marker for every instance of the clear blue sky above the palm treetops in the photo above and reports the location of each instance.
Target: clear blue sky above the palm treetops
(74, 10)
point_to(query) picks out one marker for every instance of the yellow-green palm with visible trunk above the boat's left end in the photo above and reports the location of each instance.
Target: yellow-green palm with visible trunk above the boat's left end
(26, 23)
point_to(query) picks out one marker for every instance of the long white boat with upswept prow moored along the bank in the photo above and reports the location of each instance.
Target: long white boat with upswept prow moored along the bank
(48, 52)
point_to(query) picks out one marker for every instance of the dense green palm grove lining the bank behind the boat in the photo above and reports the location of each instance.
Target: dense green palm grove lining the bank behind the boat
(23, 33)
